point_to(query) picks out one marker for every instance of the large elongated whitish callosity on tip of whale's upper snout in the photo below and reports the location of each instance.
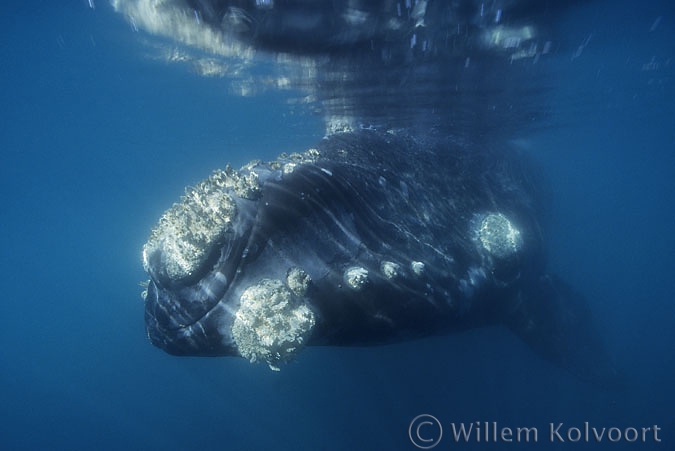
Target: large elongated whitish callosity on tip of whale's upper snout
(187, 231)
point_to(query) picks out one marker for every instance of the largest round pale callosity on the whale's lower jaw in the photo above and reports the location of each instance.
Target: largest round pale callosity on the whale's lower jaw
(271, 324)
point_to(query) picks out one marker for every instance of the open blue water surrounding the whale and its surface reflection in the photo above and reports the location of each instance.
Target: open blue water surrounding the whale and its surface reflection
(96, 141)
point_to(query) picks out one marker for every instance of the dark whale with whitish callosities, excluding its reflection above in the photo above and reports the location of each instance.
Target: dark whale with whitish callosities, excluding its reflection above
(368, 238)
